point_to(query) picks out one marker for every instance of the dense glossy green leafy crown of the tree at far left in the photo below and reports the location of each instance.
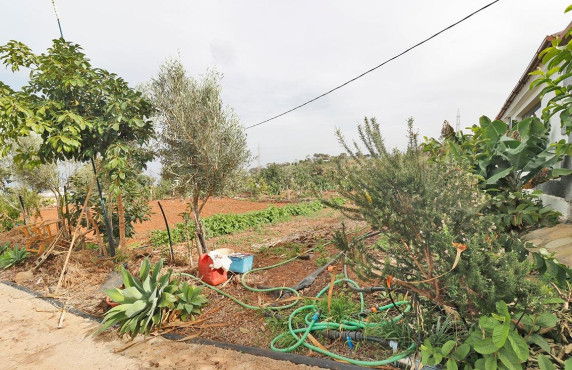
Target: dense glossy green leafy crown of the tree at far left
(79, 111)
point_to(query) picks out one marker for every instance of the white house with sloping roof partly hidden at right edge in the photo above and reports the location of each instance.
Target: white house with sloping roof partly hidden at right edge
(524, 102)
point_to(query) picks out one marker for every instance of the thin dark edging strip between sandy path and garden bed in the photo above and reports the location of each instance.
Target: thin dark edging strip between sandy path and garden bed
(255, 351)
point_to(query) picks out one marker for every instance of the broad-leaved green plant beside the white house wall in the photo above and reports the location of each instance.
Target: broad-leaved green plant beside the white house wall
(506, 159)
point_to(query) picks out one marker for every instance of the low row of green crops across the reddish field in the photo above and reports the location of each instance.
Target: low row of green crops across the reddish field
(222, 224)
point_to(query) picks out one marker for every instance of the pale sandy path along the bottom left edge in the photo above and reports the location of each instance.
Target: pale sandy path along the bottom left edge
(29, 339)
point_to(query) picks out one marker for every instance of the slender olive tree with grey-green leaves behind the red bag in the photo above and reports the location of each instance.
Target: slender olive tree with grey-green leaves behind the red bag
(202, 144)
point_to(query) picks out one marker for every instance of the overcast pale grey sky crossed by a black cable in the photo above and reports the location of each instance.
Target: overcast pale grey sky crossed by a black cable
(275, 55)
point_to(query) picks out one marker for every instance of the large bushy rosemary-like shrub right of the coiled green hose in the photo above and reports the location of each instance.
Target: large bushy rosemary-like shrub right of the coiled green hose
(429, 212)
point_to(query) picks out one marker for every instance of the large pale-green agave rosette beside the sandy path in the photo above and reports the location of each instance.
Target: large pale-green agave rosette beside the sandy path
(145, 301)
